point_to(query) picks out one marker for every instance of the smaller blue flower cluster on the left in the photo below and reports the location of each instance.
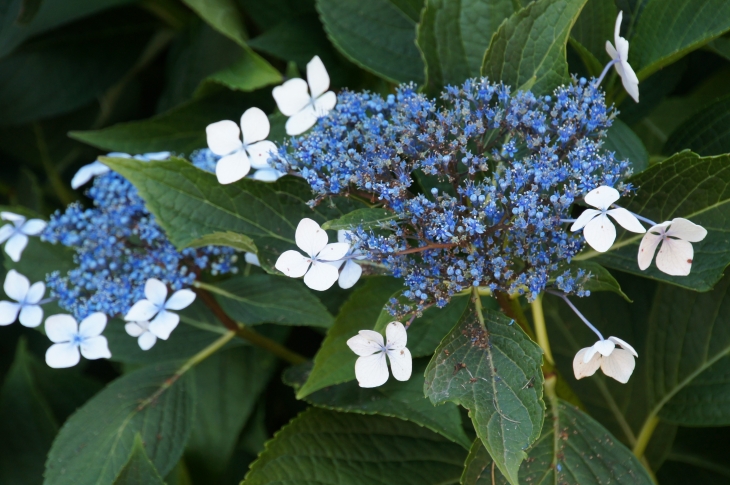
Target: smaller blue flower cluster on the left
(118, 247)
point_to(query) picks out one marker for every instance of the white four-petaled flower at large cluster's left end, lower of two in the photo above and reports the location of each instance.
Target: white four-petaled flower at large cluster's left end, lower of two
(224, 139)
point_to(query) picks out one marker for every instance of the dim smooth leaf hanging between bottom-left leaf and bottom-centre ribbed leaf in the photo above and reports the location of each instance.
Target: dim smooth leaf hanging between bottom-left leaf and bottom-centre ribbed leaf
(228, 385)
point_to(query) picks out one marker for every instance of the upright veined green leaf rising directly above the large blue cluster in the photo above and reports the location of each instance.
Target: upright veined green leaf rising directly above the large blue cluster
(528, 49)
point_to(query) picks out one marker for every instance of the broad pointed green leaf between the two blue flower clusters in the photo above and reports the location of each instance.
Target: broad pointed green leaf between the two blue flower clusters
(189, 203)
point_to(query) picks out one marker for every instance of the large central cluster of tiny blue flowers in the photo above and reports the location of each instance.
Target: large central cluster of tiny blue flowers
(479, 181)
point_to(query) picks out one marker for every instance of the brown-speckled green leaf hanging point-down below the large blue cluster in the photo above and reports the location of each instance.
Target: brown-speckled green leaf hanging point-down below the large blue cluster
(488, 365)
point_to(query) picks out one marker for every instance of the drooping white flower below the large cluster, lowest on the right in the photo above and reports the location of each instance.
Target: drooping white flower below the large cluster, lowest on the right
(616, 363)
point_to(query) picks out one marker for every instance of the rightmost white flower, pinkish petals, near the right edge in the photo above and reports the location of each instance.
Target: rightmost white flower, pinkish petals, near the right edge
(676, 252)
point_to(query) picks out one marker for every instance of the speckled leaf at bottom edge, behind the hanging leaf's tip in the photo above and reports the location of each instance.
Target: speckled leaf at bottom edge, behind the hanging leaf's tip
(573, 450)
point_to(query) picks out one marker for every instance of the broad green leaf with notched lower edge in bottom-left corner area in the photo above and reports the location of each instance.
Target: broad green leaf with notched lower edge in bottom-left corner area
(95, 443)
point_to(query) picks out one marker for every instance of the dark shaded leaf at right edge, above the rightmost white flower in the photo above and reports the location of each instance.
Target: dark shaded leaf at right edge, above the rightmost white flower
(706, 133)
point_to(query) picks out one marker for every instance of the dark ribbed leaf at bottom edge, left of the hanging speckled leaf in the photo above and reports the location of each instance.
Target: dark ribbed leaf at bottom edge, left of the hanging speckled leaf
(327, 447)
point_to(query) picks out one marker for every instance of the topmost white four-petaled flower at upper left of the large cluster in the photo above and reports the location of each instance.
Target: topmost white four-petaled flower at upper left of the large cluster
(305, 103)
